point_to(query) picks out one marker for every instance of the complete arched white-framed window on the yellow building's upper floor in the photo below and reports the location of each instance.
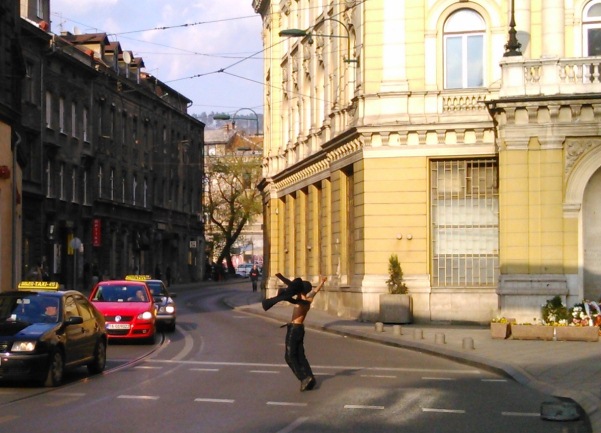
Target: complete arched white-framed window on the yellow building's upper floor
(464, 50)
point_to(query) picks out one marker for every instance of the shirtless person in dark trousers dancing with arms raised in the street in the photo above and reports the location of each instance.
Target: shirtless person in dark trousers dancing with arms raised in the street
(301, 293)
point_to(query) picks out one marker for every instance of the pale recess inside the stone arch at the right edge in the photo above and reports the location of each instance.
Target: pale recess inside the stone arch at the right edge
(591, 237)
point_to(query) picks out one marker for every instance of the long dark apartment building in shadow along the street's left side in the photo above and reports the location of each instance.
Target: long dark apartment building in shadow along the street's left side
(112, 181)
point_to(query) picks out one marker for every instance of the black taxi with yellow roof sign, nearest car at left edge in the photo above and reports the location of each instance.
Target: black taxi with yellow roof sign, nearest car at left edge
(44, 330)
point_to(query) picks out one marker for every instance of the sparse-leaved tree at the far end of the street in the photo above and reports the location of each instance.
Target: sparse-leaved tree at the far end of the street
(231, 200)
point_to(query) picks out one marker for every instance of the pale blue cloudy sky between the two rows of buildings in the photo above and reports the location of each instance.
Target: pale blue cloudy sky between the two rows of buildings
(184, 43)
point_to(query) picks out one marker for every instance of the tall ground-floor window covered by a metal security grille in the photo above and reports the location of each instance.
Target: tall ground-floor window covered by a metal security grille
(465, 223)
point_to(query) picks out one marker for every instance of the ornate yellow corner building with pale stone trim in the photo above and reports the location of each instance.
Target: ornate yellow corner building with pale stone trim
(422, 128)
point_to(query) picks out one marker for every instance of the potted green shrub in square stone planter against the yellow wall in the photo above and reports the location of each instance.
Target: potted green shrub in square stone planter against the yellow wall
(396, 305)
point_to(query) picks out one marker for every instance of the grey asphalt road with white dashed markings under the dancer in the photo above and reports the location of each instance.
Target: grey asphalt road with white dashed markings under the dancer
(223, 371)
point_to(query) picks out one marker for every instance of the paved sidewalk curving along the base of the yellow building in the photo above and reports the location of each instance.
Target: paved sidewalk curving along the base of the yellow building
(559, 368)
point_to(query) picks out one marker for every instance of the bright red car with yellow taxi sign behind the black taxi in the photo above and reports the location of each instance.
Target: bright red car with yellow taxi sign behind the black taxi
(127, 307)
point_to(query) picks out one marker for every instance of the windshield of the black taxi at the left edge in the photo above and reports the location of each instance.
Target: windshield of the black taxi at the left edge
(29, 307)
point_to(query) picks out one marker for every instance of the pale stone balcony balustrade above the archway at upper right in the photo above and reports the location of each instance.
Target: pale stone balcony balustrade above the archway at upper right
(547, 77)
